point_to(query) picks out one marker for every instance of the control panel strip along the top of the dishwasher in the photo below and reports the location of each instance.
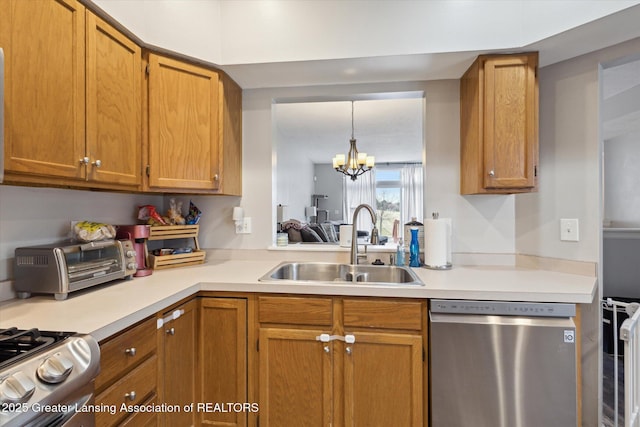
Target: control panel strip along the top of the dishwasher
(503, 308)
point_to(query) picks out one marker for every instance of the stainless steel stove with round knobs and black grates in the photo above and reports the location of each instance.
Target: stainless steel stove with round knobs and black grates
(46, 377)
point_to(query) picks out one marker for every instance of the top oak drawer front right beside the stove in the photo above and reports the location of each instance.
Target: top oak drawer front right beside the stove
(126, 351)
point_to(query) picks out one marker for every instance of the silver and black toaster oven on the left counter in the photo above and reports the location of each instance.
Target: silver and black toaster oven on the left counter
(69, 266)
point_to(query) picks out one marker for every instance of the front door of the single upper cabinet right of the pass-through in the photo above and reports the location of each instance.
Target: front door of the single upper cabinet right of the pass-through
(510, 121)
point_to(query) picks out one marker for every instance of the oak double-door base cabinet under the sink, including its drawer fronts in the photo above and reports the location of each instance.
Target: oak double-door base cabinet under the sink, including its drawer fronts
(365, 368)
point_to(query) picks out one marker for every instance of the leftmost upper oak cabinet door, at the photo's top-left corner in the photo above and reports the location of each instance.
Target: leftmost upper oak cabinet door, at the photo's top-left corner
(45, 91)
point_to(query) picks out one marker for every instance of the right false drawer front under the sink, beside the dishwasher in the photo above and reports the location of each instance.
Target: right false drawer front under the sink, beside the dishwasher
(383, 314)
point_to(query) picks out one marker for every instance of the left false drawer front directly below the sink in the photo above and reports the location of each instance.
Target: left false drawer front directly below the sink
(299, 311)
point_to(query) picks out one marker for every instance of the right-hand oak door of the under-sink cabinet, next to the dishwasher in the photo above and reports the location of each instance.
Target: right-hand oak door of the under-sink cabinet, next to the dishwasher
(383, 380)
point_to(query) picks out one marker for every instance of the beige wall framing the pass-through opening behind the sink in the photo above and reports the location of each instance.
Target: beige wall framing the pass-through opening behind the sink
(482, 224)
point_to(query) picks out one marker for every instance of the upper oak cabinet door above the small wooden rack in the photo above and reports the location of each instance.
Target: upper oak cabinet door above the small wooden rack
(183, 126)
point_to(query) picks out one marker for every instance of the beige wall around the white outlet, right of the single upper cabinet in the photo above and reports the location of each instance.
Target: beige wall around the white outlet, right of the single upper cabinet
(570, 147)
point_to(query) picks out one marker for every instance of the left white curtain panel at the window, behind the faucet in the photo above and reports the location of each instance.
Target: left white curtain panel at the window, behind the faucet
(362, 190)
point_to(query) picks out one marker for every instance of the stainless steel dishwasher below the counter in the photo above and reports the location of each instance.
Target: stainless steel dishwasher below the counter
(502, 364)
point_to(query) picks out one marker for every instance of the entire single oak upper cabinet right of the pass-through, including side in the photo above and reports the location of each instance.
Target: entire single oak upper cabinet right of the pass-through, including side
(499, 125)
